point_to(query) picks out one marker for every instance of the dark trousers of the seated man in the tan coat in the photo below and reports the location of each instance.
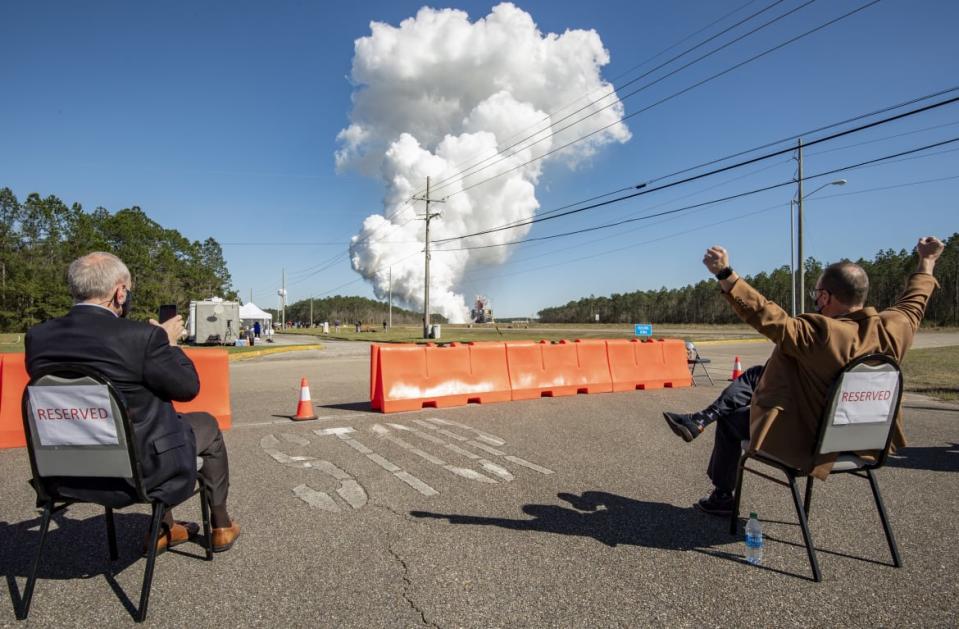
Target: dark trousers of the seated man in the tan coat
(731, 410)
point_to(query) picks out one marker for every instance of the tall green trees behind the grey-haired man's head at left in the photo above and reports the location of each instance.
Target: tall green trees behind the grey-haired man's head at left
(40, 236)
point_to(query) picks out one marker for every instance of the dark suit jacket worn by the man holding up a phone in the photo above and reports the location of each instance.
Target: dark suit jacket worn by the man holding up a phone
(148, 372)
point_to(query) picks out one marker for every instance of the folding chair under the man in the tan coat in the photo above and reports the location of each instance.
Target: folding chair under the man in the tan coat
(859, 417)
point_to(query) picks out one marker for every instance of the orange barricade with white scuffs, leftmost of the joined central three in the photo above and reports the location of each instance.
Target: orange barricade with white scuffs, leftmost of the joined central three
(410, 377)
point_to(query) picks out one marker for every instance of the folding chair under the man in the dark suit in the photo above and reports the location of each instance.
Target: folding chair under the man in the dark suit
(94, 442)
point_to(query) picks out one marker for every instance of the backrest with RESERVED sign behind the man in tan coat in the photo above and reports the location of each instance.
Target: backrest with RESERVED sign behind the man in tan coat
(862, 407)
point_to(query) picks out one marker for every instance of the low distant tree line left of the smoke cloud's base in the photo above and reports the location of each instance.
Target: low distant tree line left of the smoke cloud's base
(348, 310)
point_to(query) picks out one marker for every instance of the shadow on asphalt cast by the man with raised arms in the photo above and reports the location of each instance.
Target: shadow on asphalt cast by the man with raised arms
(612, 520)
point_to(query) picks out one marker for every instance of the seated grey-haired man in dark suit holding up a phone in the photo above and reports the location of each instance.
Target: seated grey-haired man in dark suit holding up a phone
(150, 372)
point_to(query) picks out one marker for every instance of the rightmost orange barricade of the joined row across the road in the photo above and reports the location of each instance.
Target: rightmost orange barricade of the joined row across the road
(636, 364)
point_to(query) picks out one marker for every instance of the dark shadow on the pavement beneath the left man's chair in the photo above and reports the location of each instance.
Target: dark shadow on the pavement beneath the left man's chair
(73, 549)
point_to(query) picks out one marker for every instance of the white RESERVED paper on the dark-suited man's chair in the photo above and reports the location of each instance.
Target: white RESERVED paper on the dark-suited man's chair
(73, 416)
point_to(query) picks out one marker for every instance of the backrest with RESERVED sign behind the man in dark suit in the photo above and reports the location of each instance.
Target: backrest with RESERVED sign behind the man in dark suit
(76, 425)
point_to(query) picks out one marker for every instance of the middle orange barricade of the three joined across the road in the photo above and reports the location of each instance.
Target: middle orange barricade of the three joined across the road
(546, 369)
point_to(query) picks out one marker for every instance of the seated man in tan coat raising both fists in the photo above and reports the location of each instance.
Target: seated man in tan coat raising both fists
(778, 407)
